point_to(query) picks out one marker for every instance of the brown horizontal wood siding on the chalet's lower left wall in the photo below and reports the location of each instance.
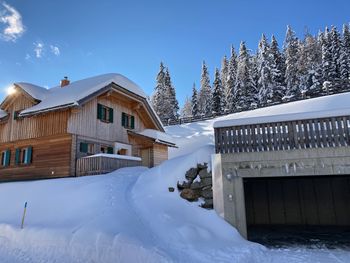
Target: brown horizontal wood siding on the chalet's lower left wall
(51, 158)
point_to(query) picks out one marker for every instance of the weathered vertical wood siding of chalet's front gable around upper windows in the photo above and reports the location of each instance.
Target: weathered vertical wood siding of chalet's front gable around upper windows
(84, 121)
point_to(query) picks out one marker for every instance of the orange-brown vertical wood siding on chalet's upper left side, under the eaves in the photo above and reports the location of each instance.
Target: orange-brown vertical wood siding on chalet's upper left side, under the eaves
(33, 127)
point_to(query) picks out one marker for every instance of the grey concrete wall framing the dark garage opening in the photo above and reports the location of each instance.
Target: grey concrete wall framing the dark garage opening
(230, 169)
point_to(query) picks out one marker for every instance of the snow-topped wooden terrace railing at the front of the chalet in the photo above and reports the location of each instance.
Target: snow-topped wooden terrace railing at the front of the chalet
(101, 164)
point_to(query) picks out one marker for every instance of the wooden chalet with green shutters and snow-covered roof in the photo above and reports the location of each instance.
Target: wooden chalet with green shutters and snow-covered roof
(44, 132)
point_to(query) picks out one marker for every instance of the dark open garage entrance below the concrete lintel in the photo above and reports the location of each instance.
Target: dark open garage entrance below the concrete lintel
(297, 209)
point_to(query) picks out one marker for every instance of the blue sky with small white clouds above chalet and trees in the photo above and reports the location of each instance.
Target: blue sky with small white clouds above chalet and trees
(41, 41)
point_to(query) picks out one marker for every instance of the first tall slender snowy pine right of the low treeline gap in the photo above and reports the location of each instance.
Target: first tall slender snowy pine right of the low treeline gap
(205, 94)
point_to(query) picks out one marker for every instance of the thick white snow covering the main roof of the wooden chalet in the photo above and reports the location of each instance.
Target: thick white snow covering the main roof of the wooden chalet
(73, 93)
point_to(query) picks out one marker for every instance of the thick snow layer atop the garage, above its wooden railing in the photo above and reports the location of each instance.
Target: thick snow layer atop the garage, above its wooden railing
(321, 107)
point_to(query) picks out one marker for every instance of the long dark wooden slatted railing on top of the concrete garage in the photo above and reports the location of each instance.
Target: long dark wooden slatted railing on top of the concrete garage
(301, 134)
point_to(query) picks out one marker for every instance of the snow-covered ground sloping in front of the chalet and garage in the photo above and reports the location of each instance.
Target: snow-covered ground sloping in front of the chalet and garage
(130, 216)
